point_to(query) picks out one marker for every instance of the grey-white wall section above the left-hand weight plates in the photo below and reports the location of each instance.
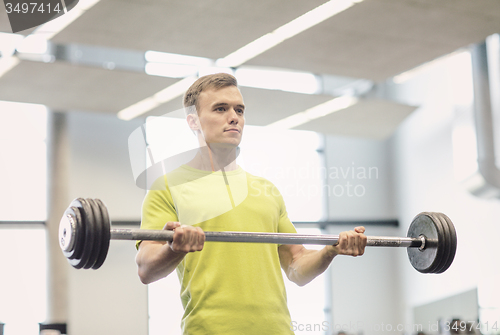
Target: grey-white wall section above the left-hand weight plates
(100, 165)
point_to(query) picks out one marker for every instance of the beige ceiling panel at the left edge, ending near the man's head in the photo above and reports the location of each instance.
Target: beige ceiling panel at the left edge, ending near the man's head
(63, 86)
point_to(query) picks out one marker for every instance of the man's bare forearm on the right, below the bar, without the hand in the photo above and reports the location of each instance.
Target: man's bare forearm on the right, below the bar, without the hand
(310, 264)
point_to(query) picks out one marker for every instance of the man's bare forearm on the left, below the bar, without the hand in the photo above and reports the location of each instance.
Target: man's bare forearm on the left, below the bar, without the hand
(156, 261)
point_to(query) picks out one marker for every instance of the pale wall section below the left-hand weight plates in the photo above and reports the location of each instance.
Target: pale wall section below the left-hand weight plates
(110, 300)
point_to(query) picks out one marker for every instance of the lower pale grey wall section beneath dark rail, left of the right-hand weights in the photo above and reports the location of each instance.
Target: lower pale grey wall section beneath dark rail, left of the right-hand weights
(366, 297)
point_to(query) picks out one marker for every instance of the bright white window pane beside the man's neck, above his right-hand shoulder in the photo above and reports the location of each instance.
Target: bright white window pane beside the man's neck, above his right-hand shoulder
(292, 161)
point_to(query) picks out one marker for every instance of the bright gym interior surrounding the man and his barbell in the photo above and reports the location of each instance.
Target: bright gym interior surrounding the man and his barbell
(359, 111)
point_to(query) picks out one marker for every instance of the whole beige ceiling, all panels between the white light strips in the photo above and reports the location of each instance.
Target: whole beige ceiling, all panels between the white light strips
(374, 40)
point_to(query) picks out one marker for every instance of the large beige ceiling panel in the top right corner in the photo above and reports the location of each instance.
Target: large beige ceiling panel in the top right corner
(378, 39)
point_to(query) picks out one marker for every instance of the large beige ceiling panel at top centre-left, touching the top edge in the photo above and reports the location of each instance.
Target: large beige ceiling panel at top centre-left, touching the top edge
(209, 28)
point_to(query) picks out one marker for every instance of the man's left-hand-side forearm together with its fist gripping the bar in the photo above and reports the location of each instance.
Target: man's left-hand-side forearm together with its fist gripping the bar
(156, 259)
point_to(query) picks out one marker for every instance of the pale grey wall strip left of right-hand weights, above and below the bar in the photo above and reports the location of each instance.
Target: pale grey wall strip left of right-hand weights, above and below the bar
(366, 290)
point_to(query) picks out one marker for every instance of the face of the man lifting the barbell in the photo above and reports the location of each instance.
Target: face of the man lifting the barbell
(221, 115)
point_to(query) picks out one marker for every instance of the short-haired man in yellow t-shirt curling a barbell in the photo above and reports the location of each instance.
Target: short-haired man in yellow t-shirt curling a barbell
(227, 288)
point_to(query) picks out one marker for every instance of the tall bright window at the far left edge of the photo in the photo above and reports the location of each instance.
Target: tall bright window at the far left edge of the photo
(23, 187)
